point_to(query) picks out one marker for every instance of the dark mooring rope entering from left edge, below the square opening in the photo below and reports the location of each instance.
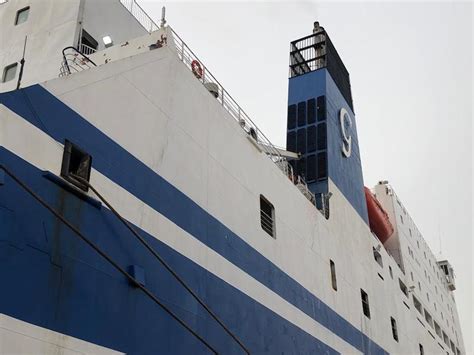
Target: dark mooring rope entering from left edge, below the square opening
(106, 257)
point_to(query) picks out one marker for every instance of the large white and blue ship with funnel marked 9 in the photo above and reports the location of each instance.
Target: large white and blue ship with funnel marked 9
(142, 211)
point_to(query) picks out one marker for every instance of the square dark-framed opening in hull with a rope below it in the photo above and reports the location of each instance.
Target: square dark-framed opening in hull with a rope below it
(76, 162)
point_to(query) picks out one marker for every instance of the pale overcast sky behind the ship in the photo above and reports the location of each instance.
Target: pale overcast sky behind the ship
(411, 75)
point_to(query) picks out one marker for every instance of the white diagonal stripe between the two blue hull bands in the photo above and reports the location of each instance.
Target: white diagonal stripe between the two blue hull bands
(142, 215)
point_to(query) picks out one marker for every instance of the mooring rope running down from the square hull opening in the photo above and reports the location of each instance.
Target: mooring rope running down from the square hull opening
(162, 261)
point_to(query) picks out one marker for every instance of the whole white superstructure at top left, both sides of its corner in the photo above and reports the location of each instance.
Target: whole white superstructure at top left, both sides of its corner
(52, 26)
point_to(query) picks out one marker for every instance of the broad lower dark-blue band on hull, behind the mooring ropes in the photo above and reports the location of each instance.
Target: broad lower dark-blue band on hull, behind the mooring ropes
(52, 279)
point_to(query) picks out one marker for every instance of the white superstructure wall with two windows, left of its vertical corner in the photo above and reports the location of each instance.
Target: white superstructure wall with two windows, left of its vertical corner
(50, 27)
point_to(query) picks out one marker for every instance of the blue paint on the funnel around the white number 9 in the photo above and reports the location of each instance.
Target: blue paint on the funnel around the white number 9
(346, 173)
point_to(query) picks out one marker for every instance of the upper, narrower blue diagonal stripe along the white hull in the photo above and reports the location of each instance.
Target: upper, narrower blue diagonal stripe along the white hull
(46, 112)
